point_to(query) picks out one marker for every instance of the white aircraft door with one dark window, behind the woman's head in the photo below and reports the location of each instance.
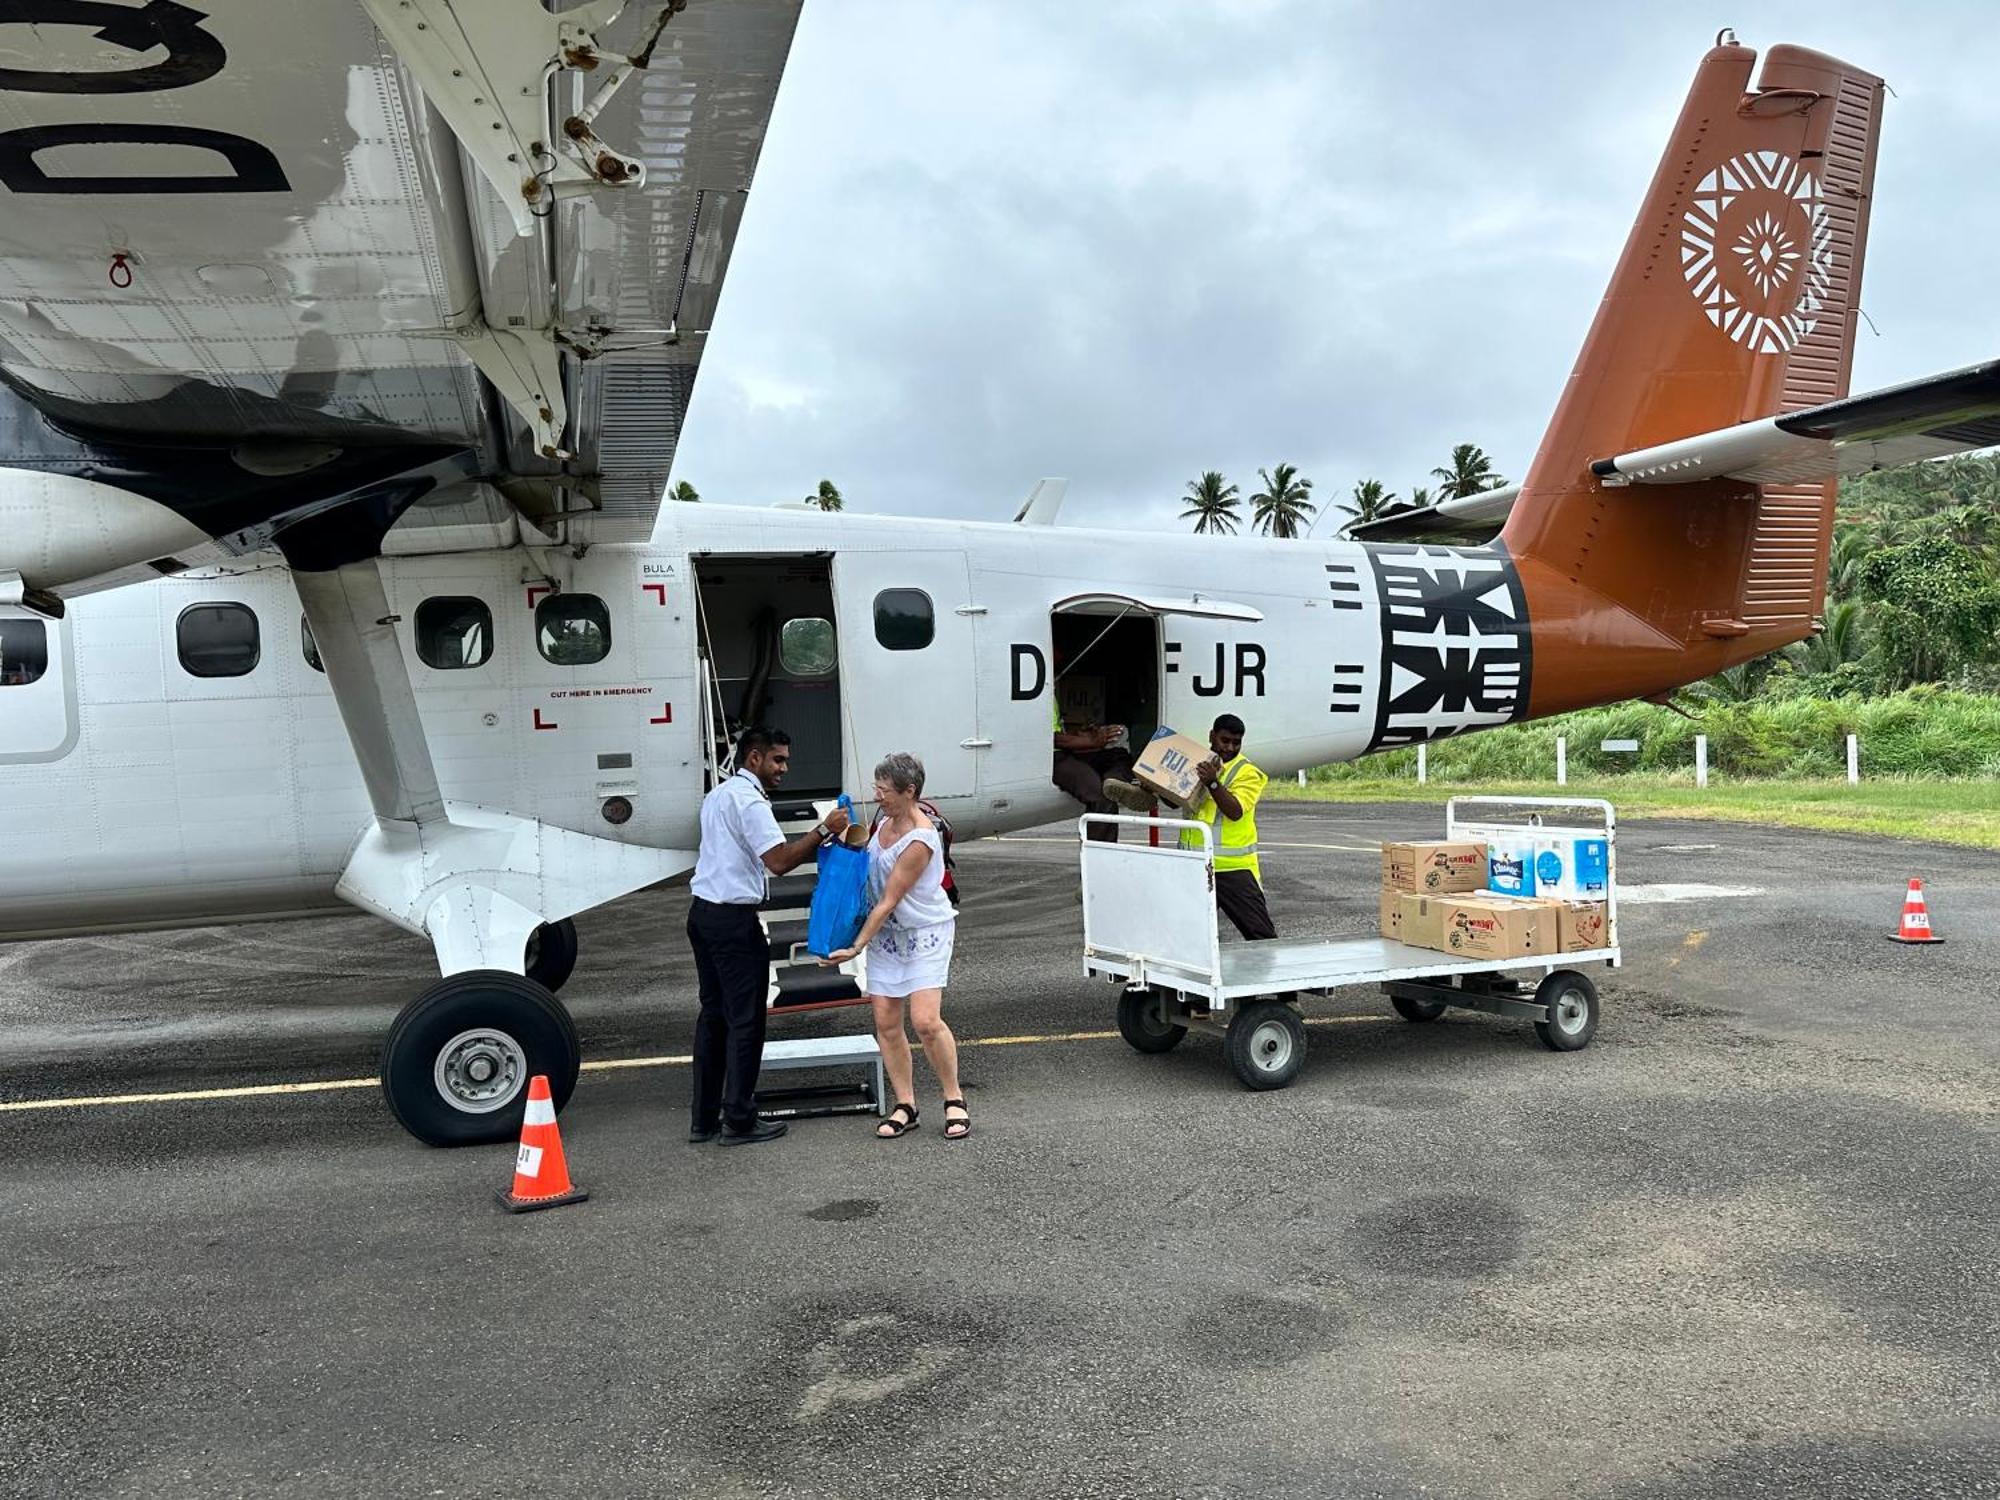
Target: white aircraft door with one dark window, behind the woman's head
(907, 645)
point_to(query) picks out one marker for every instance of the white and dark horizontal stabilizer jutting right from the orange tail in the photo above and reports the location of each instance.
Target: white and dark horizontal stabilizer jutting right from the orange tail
(1905, 425)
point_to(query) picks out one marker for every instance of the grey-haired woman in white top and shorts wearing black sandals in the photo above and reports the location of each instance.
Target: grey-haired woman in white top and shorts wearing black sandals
(909, 939)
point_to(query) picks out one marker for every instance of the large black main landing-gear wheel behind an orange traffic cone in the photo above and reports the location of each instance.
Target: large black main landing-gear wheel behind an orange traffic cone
(459, 1059)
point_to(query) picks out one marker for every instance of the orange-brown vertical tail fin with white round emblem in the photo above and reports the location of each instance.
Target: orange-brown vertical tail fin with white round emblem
(1735, 299)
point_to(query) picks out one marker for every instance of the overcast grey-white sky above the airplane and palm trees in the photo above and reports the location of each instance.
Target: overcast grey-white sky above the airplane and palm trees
(1129, 241)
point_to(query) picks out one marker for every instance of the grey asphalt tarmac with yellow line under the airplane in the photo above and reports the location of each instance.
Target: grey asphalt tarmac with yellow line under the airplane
(1747, 1243)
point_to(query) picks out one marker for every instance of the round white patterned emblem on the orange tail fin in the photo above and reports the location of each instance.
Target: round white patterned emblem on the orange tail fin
(1759, 251)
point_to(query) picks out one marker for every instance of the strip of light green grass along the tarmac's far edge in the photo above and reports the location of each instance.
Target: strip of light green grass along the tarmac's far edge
(1949, 813)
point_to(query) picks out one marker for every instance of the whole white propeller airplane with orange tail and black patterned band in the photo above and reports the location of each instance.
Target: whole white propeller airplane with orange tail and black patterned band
(343, 357)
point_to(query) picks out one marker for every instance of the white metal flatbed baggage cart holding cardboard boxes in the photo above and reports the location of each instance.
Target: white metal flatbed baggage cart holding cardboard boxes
(1151, 927)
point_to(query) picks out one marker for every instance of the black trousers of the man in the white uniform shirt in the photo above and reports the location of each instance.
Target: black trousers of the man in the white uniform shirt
(733, 961)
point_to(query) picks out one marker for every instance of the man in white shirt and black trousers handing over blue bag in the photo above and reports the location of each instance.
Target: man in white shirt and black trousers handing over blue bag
(741, 849)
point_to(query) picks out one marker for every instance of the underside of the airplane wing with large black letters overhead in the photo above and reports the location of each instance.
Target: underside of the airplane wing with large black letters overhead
(321, 267)
